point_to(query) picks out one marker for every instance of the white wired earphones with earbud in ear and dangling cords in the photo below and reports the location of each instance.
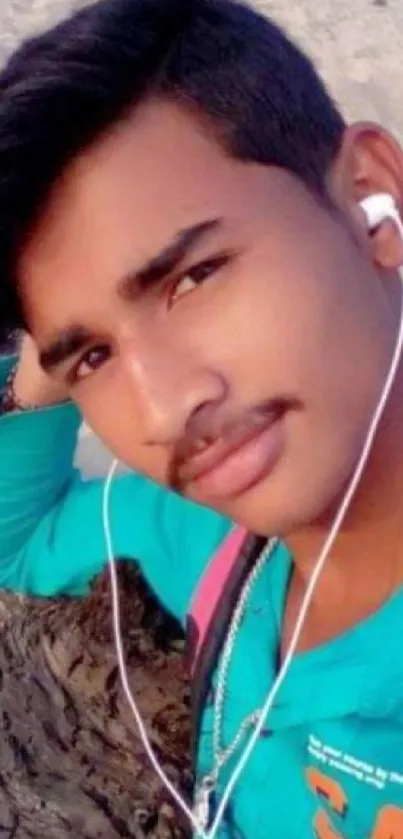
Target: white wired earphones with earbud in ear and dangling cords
(377, 209)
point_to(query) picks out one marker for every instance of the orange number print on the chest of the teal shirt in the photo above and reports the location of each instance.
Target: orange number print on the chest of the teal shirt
(388, 823)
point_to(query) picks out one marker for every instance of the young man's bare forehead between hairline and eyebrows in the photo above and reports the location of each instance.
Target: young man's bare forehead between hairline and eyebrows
(116, 205)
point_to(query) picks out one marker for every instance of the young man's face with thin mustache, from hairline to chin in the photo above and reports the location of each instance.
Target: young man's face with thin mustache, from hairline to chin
(217, 325)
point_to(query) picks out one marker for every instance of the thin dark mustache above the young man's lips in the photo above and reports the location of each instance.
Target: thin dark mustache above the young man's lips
(213, 427)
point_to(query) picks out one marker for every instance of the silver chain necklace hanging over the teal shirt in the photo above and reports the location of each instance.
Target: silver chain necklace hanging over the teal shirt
(221, 756)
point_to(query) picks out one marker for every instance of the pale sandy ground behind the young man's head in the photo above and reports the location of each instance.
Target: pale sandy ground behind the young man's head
(358, 45)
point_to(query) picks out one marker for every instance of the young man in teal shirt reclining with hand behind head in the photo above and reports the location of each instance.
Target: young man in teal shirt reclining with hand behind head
(181, 236)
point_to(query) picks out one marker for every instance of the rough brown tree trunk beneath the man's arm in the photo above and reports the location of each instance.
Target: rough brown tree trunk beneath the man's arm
(71, 761)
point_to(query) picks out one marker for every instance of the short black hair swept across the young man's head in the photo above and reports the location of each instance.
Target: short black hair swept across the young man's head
(62, 90)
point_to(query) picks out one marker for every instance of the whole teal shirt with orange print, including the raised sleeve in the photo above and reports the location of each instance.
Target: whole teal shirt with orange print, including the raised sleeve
(329, 764)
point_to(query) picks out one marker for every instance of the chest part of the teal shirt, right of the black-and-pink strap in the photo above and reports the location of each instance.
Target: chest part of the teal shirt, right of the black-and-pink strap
(329, 763)
